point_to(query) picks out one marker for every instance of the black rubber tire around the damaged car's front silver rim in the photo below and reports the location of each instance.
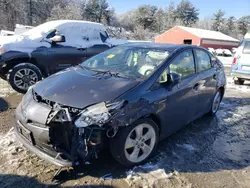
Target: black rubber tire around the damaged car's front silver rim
(117, 143)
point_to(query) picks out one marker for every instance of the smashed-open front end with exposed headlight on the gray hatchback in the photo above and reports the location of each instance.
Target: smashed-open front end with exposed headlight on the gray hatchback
(77, 135)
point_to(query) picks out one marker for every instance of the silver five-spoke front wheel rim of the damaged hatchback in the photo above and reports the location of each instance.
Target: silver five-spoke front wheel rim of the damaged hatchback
(140, 143)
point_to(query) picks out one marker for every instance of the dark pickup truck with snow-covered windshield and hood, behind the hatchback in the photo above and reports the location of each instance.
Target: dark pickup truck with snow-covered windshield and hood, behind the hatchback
(49, 48)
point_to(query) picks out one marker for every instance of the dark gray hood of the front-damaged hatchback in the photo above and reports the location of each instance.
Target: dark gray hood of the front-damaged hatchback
(79, 88)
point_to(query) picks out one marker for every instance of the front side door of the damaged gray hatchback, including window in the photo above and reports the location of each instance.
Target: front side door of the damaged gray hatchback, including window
(181, 100)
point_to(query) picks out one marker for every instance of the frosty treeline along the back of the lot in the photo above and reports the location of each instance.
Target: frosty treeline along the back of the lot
(142, 23)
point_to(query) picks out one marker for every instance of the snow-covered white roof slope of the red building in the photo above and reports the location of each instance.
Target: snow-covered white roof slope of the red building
(208, 34)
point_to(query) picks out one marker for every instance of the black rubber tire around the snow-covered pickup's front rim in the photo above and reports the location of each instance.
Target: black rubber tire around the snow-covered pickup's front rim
(13, 71)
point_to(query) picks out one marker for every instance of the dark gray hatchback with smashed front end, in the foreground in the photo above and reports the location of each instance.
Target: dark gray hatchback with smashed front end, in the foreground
(127, 99)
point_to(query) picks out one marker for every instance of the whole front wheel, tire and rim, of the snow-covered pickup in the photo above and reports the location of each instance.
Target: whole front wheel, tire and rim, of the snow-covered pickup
(24, 75)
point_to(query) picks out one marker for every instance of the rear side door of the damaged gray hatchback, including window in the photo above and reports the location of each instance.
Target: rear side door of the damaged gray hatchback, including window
(207, 81)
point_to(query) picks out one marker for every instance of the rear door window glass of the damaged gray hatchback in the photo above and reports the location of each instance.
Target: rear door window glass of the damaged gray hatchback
(203, 60)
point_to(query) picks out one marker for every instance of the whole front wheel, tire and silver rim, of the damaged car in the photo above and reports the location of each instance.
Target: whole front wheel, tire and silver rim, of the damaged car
(127, 138)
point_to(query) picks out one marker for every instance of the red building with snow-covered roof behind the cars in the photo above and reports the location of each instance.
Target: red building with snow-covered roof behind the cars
(199, 37)
